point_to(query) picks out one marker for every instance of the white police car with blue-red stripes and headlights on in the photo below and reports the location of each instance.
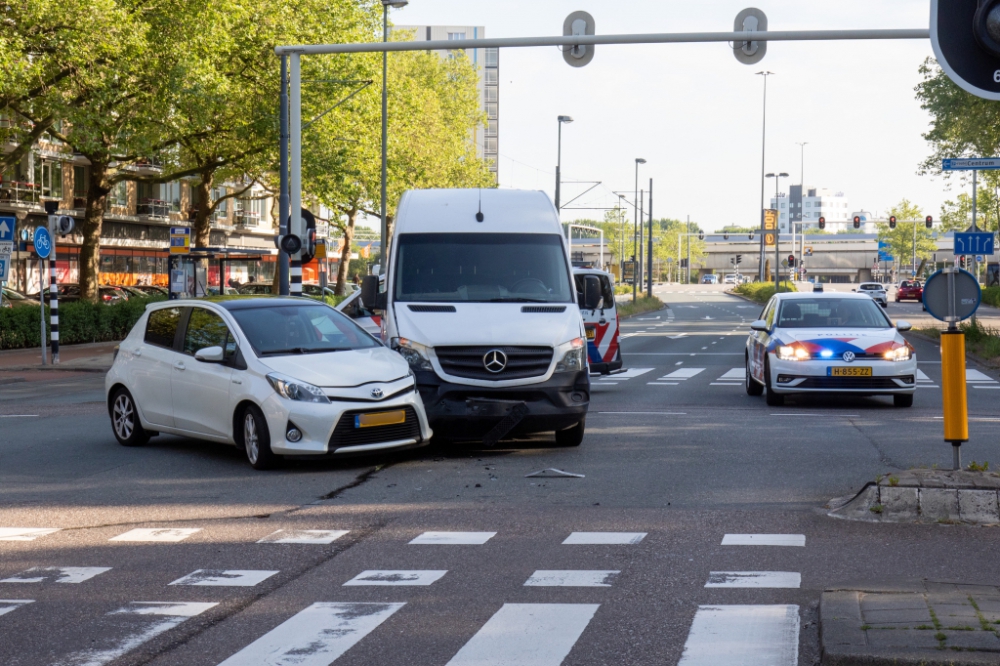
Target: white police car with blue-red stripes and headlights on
(829, 343)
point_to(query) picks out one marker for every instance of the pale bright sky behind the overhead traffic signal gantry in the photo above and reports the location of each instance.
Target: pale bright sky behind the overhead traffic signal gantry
(695, 113)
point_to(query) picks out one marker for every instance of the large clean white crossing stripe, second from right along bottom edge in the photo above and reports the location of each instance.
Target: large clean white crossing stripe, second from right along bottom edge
(527, 635)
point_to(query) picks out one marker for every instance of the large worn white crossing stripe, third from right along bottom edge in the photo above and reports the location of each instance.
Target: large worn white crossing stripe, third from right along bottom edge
(316, 636)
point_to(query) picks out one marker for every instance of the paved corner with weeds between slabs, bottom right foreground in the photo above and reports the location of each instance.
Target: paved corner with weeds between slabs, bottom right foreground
(926, 623)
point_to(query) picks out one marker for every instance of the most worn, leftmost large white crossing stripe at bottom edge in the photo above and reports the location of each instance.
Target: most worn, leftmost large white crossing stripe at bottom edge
(142, 621)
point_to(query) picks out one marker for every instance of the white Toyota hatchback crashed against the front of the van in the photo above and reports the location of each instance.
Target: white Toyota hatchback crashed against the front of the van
(271, 376)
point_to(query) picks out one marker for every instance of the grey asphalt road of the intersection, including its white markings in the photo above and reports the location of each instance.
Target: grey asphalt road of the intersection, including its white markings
(676, 458)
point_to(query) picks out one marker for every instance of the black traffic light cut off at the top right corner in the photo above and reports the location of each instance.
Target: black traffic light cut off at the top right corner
(966, 39)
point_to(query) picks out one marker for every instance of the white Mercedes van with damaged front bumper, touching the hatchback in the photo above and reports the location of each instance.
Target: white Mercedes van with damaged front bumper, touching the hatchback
(480, 299)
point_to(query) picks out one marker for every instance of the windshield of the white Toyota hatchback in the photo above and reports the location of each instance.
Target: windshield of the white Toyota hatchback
(277, 330)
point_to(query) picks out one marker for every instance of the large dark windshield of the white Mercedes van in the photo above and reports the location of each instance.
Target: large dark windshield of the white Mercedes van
(482, 268)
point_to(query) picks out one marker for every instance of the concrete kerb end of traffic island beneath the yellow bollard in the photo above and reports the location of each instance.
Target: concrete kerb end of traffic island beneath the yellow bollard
(925, 496)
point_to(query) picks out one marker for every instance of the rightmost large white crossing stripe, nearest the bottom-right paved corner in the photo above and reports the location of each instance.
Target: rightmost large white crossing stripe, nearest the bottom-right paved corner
(743, 636)
